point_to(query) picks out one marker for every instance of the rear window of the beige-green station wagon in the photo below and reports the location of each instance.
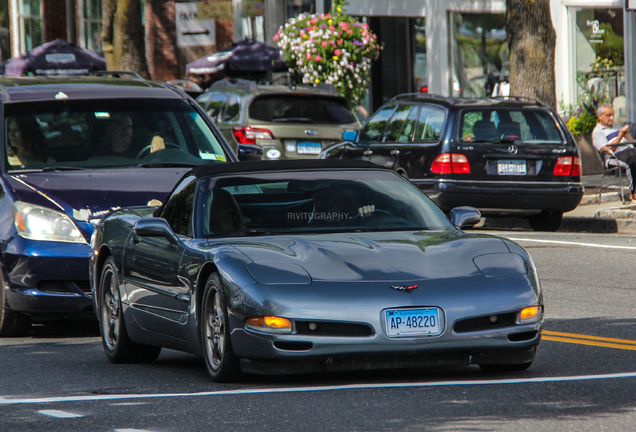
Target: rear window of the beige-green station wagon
(307, 109)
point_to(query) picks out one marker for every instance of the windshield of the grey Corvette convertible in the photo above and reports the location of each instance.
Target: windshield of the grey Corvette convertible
(313, 202)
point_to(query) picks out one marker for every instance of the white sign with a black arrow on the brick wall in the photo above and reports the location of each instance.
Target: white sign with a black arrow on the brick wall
(191, 29)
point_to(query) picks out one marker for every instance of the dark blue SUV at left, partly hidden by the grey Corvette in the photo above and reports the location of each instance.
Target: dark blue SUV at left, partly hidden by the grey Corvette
(74, 148)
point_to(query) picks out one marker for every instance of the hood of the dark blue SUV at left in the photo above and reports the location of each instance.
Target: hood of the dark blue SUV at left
(83, 193)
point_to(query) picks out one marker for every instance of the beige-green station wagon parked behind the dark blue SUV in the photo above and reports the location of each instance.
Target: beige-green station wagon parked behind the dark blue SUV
(287, 122)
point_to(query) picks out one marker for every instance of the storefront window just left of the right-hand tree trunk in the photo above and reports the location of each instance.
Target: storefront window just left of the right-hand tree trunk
(480, 55)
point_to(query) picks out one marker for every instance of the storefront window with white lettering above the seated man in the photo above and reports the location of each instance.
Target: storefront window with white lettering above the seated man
(600, 54)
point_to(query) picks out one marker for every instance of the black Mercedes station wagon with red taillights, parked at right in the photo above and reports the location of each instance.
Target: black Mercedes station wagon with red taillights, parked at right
(504, 156)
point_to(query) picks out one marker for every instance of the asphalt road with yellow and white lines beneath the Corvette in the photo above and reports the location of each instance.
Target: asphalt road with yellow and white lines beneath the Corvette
(583, 379)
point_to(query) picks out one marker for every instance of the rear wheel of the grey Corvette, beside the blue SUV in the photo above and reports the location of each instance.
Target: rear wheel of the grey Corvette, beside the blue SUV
(117, 345)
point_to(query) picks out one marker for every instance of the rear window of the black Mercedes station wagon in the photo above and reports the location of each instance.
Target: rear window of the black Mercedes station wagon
(505, 124)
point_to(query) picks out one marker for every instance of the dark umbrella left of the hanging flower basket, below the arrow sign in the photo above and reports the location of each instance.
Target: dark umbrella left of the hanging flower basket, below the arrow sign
(244, 56)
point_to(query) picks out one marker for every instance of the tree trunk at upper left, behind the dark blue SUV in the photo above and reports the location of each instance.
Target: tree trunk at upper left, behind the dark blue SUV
(123, 35)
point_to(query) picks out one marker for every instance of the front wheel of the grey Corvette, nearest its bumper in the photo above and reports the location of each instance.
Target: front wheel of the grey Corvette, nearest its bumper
(220, 361)
